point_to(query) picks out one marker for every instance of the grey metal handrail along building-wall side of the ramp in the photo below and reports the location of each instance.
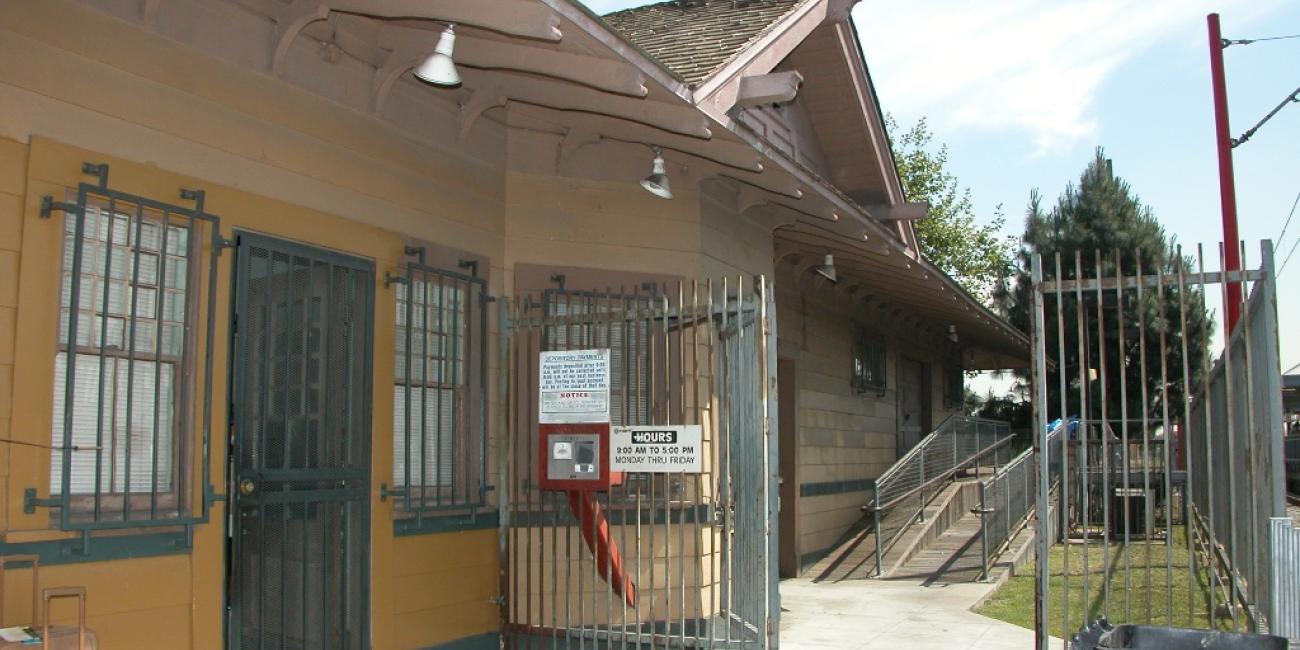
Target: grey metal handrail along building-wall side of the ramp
(946, 439)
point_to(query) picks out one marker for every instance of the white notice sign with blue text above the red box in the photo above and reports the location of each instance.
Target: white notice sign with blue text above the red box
(575, 387)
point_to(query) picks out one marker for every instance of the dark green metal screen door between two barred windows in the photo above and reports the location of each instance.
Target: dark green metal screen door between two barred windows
(300, 457)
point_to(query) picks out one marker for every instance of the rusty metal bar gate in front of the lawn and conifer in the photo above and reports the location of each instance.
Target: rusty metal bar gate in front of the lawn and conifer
(1169, 484)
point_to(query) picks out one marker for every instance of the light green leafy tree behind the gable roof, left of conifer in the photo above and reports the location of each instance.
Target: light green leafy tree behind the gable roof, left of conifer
(974, 254)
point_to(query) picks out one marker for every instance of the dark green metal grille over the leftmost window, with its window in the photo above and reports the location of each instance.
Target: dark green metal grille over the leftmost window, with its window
(127, 370)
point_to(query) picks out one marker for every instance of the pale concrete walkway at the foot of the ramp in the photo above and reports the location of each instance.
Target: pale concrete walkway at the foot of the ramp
(895, 614)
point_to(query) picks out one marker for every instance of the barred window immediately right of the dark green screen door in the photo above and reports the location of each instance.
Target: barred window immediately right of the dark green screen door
(440, 392)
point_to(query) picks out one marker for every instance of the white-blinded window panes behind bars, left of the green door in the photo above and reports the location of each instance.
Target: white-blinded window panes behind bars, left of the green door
(132, 313)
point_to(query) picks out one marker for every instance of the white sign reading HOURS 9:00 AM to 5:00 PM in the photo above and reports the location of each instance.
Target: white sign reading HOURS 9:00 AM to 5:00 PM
(657, 449)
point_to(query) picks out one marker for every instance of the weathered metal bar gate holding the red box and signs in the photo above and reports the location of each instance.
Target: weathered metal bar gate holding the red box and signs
(699, 548)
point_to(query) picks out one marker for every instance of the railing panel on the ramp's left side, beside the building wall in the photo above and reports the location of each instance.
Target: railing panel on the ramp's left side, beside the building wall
(959, 444)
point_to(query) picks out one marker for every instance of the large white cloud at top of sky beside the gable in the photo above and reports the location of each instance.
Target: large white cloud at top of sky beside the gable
(1024, 66)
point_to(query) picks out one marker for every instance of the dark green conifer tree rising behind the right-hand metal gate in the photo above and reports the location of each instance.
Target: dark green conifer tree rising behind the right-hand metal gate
(1103, 214)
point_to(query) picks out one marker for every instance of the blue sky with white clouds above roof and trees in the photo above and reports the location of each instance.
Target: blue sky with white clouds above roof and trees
(1024, 90)
